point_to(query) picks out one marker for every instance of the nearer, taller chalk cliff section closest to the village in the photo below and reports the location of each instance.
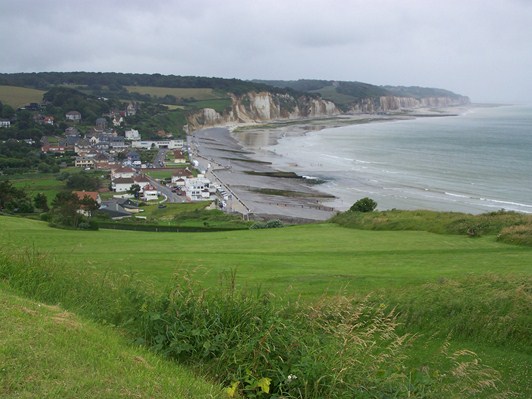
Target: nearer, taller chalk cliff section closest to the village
(263, 107)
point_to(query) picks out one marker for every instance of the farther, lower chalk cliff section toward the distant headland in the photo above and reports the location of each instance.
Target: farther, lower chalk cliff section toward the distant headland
(395, 103)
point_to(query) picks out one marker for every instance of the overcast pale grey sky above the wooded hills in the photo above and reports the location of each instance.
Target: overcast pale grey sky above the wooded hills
(482, 49)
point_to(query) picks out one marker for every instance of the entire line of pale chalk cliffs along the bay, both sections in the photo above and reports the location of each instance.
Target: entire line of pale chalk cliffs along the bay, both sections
(266, 106)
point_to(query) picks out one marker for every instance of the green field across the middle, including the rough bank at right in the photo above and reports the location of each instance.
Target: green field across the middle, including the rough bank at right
(475, 289)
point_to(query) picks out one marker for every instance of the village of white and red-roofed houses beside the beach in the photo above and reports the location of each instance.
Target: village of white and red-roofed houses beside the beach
(130, 162)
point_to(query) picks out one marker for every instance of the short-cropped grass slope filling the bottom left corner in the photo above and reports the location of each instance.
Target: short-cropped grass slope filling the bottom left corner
(48, 352)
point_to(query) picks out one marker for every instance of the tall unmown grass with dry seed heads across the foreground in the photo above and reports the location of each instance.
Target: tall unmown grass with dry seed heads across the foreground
(257, 345)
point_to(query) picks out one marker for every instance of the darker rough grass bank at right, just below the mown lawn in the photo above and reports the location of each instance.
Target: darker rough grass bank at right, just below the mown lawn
(489, 308)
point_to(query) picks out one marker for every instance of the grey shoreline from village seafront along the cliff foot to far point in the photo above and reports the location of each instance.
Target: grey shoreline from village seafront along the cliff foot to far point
(237, 158)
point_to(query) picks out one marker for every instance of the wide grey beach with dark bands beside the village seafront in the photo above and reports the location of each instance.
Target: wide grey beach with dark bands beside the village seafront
(254, 191)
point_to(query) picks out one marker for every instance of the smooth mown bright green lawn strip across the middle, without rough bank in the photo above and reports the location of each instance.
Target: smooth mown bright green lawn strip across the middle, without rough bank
(304, 260)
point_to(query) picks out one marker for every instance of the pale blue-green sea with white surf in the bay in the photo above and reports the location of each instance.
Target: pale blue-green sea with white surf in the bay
(477, 162)
